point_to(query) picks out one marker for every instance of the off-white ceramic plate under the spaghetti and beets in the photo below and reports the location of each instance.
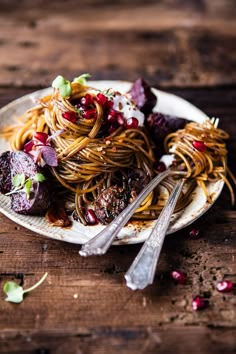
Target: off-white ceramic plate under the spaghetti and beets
(134, 232)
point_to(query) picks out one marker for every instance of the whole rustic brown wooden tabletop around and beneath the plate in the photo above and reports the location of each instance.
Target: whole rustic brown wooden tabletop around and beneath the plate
(184, 47)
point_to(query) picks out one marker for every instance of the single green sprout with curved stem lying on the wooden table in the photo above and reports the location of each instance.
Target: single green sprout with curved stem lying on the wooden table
(15, 292)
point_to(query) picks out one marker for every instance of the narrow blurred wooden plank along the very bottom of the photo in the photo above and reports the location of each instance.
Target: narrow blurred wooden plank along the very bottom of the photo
(197, 340)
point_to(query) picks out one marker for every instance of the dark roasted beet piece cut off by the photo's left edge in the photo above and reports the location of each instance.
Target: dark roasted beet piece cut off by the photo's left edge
(5, 173)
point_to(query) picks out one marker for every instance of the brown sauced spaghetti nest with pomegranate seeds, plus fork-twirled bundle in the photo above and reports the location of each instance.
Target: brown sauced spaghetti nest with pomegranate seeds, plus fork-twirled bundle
(95, 152)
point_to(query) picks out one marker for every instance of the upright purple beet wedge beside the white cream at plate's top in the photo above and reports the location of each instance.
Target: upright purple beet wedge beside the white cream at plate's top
(143, 96)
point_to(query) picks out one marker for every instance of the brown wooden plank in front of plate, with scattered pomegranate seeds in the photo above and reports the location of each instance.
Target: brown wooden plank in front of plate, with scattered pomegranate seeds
(88, 290)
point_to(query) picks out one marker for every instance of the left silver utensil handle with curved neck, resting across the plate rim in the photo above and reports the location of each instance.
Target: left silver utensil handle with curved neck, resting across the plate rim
(99, 244)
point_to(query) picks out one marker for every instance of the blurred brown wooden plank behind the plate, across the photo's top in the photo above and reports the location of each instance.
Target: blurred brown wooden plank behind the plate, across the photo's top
(177, 44)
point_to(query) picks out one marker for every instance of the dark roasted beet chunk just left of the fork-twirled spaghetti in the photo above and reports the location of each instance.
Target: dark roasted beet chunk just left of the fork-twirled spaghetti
(160, 125)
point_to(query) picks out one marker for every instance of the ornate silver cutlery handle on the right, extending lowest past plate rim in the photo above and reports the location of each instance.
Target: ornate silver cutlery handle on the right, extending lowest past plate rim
(142, 271)
